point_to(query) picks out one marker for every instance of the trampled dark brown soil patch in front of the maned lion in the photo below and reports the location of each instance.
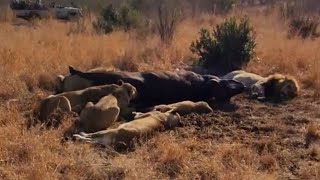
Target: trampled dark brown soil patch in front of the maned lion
(276, 130)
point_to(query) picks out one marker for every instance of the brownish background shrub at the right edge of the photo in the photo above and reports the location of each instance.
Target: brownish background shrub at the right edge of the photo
(304, 27)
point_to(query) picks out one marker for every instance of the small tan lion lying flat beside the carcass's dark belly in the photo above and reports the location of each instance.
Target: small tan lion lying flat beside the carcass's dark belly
(185, 107)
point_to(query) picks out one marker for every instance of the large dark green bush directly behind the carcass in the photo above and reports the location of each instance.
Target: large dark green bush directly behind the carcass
(229, 47)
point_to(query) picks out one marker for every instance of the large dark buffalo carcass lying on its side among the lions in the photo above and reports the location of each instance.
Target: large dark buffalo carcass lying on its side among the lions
(158, 87)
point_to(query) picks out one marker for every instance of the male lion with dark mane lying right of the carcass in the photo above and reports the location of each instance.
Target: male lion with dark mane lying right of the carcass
(275, 87)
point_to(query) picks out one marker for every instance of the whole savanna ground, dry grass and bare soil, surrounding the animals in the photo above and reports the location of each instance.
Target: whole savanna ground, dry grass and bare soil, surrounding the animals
(244, 140)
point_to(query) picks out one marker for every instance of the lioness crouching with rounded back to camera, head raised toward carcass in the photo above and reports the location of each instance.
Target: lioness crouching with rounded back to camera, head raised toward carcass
(99, 116)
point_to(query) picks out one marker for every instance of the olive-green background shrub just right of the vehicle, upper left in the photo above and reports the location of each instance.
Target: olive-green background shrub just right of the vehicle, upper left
(124, 17)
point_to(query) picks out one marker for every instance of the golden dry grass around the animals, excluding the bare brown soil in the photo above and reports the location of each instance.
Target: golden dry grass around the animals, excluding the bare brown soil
(32, 54)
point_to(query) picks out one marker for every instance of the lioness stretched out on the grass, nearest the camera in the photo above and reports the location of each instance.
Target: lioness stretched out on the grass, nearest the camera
(125, 133)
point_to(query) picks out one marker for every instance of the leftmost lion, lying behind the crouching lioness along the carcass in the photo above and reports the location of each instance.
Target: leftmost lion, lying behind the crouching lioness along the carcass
(76, 100)
